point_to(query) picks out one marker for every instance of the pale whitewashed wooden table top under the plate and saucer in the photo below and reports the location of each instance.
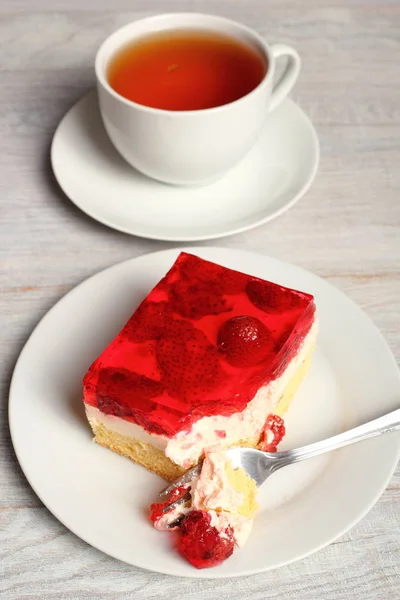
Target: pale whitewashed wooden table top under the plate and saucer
(346, 229)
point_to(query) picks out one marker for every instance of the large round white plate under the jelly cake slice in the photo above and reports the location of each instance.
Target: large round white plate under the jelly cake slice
(103, 498)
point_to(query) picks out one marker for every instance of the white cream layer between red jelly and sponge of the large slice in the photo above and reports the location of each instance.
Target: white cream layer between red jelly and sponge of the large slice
(186, 447)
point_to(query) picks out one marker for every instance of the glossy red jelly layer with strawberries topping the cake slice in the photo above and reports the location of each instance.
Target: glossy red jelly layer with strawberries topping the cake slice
(202, 343)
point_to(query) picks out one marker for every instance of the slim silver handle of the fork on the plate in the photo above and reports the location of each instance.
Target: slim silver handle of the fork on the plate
(385, 424)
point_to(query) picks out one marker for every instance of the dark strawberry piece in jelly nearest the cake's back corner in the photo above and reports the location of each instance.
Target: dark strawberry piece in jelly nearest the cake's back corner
(197, 300)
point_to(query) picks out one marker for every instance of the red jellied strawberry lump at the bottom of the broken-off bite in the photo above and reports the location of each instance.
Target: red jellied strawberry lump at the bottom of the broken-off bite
(201, 543)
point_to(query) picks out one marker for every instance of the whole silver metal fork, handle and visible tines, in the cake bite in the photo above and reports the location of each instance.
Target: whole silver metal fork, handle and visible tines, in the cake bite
(260, 465)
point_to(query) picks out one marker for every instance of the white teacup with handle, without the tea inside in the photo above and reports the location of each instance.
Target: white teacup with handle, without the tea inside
(190, 147)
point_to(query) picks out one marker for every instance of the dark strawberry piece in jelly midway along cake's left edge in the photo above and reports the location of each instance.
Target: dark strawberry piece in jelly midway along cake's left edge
(148, 322)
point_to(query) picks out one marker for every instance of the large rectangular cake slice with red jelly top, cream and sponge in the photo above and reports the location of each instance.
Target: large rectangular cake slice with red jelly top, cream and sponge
(211, 356)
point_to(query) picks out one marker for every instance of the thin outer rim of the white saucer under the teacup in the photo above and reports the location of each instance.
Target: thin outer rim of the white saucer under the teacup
(193, 238)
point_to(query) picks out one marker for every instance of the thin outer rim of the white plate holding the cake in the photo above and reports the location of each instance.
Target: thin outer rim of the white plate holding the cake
(204, 573)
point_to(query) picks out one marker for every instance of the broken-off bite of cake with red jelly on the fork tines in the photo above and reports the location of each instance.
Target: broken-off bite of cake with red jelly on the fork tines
(218, 514)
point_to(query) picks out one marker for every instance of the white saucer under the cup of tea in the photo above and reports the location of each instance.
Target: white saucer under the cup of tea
(269, 180)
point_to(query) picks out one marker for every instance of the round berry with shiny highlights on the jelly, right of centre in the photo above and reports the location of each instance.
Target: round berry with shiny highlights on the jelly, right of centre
(245, 341)
